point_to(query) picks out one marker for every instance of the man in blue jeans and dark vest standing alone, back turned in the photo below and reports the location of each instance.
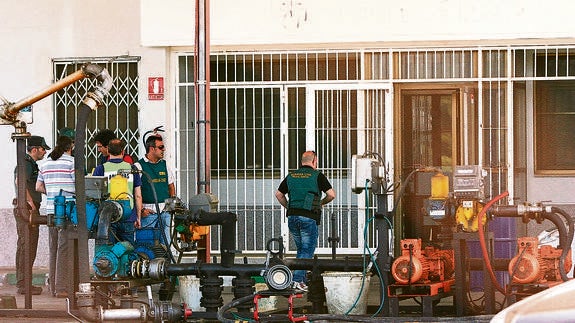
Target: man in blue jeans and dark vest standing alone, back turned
(304, 188)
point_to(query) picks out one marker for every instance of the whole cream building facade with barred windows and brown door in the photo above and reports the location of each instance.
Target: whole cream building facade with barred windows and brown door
(440, 83)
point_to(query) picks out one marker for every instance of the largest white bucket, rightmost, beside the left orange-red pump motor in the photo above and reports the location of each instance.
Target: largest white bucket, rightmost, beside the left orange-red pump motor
(342, 291)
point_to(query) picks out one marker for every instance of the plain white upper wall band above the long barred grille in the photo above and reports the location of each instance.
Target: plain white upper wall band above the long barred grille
(251, 22)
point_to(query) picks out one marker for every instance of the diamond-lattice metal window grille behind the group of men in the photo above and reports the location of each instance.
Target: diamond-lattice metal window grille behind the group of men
(120, 111)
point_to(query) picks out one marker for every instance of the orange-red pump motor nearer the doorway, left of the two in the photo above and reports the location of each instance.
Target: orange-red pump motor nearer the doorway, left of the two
(422, 266)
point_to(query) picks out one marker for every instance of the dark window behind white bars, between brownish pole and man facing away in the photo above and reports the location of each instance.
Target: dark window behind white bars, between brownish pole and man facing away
(245, 131)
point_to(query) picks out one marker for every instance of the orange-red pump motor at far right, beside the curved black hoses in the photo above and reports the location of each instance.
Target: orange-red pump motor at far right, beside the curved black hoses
(534, 264)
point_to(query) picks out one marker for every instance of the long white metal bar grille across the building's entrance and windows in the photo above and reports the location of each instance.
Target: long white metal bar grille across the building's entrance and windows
(305, 99)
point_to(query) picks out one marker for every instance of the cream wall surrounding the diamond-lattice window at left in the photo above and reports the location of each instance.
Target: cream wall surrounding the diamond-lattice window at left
(34, 32)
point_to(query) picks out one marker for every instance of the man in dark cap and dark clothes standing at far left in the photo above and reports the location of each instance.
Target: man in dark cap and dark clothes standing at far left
(36, 150)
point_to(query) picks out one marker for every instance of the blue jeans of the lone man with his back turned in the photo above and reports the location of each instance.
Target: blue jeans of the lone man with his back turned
(304, 232)
